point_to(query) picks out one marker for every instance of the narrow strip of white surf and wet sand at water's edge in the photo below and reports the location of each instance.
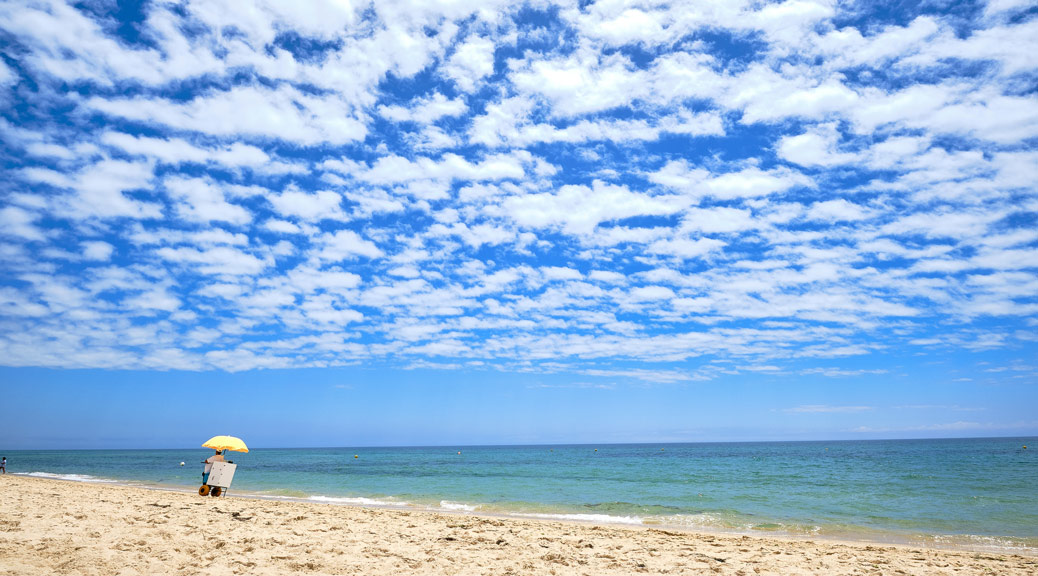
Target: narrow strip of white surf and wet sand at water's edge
(854, 536)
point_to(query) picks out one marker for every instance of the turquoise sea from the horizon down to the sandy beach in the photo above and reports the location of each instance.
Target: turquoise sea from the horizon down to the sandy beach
(976, 493)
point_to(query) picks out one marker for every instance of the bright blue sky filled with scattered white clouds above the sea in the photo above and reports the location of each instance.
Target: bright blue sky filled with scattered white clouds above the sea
(490, 223)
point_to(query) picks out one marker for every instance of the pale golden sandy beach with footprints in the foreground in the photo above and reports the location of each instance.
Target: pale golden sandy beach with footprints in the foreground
(64, 528)
